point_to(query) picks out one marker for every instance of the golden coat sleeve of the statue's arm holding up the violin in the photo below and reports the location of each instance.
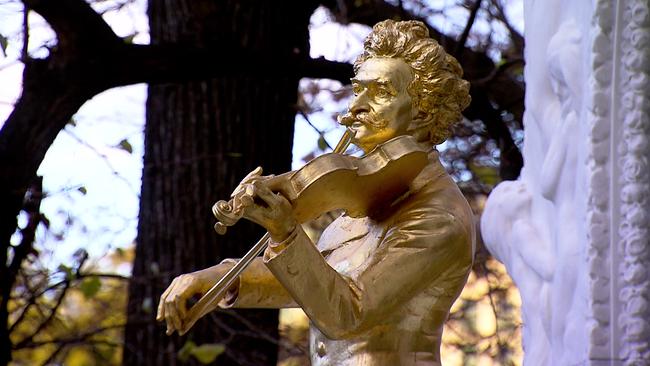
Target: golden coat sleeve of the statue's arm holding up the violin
(421, 246)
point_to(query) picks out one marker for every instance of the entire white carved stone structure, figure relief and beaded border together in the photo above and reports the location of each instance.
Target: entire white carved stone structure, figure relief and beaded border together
(574, 230)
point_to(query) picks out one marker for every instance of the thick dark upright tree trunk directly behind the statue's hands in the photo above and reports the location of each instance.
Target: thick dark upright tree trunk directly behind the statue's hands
(201, 138)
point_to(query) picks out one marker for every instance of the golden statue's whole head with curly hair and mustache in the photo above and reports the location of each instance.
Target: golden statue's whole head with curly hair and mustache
(405, 83)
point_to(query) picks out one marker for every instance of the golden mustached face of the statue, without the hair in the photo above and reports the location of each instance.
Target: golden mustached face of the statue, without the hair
(381, 108)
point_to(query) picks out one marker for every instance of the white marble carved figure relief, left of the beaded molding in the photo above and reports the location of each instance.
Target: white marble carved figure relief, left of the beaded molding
(546, 261)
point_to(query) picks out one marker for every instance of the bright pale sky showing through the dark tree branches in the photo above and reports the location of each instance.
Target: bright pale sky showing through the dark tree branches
(92, 171)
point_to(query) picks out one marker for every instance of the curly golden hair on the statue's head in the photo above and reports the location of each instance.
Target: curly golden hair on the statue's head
(438, 90)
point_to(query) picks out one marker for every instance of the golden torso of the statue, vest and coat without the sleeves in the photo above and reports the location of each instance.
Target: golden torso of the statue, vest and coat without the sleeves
(410, 334)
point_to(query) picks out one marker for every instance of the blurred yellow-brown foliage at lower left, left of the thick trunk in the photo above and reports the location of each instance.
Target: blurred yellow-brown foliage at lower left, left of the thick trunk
(73, 315)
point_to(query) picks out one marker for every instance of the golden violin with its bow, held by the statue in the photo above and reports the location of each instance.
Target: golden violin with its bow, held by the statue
(358, 185)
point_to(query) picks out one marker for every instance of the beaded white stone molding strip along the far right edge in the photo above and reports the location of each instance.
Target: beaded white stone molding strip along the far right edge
(630, 182)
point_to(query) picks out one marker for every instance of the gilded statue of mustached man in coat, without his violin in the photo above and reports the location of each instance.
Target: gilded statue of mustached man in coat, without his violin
(376, 288)
